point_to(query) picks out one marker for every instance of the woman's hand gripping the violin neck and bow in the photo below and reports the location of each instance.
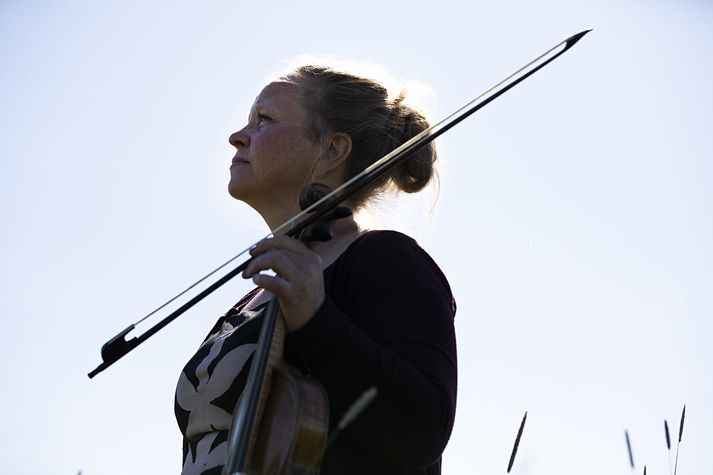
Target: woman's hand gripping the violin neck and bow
(298, 283)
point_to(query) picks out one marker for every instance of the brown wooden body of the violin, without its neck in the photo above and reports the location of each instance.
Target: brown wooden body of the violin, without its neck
(295, 421)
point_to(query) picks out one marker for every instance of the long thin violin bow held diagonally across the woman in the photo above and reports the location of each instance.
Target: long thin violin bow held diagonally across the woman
(118, 346)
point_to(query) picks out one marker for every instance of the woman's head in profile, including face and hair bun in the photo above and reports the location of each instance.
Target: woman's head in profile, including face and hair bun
(316, 123)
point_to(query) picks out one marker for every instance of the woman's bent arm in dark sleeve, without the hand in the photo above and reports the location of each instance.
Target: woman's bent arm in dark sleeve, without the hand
(387, 321)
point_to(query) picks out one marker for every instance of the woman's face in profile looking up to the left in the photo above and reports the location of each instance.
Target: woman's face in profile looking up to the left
(274, 154)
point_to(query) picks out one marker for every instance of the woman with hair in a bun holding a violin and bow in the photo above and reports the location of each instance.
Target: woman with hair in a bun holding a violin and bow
(364, 309)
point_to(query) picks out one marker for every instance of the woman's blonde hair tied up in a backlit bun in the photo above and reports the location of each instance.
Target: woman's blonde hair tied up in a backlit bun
(340, 102)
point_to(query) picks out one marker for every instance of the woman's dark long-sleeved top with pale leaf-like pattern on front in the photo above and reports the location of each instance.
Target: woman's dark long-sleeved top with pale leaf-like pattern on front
(387, 321)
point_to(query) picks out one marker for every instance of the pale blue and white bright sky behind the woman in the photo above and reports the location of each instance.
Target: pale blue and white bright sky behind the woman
(575, 219)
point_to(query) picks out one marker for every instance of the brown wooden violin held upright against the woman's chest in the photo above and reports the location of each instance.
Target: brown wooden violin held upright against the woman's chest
(281, 420)
